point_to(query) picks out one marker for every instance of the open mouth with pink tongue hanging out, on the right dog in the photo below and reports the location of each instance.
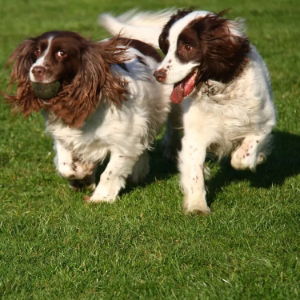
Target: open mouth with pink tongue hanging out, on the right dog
(184, 87)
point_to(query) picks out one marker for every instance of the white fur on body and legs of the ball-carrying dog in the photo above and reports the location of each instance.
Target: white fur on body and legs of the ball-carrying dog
(124, 134)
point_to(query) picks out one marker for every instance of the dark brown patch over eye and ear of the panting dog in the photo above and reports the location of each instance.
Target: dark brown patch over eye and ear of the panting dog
(208, 40)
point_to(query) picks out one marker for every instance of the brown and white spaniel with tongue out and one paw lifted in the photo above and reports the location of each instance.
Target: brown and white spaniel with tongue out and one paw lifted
(220, 82)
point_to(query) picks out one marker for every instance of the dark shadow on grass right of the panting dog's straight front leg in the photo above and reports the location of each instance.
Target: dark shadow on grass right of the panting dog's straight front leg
(284, 162)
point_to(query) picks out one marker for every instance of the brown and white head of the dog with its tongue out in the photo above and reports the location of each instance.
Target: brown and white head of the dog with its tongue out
(200, 46)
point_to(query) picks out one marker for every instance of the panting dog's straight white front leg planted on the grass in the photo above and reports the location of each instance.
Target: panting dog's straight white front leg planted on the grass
(191, 165)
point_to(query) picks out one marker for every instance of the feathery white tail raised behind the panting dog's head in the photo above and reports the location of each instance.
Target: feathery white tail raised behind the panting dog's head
(145, 26)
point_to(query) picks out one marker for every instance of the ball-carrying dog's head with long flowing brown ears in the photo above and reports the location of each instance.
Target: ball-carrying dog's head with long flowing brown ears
(81, 67)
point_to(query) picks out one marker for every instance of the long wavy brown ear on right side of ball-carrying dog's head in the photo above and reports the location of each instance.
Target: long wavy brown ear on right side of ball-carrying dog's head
(94, 82)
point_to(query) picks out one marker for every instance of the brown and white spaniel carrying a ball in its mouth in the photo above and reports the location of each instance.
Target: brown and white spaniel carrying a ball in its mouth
(109, 104)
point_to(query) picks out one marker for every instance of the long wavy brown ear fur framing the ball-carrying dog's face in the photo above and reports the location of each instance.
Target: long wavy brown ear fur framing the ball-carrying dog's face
(78, 97)
